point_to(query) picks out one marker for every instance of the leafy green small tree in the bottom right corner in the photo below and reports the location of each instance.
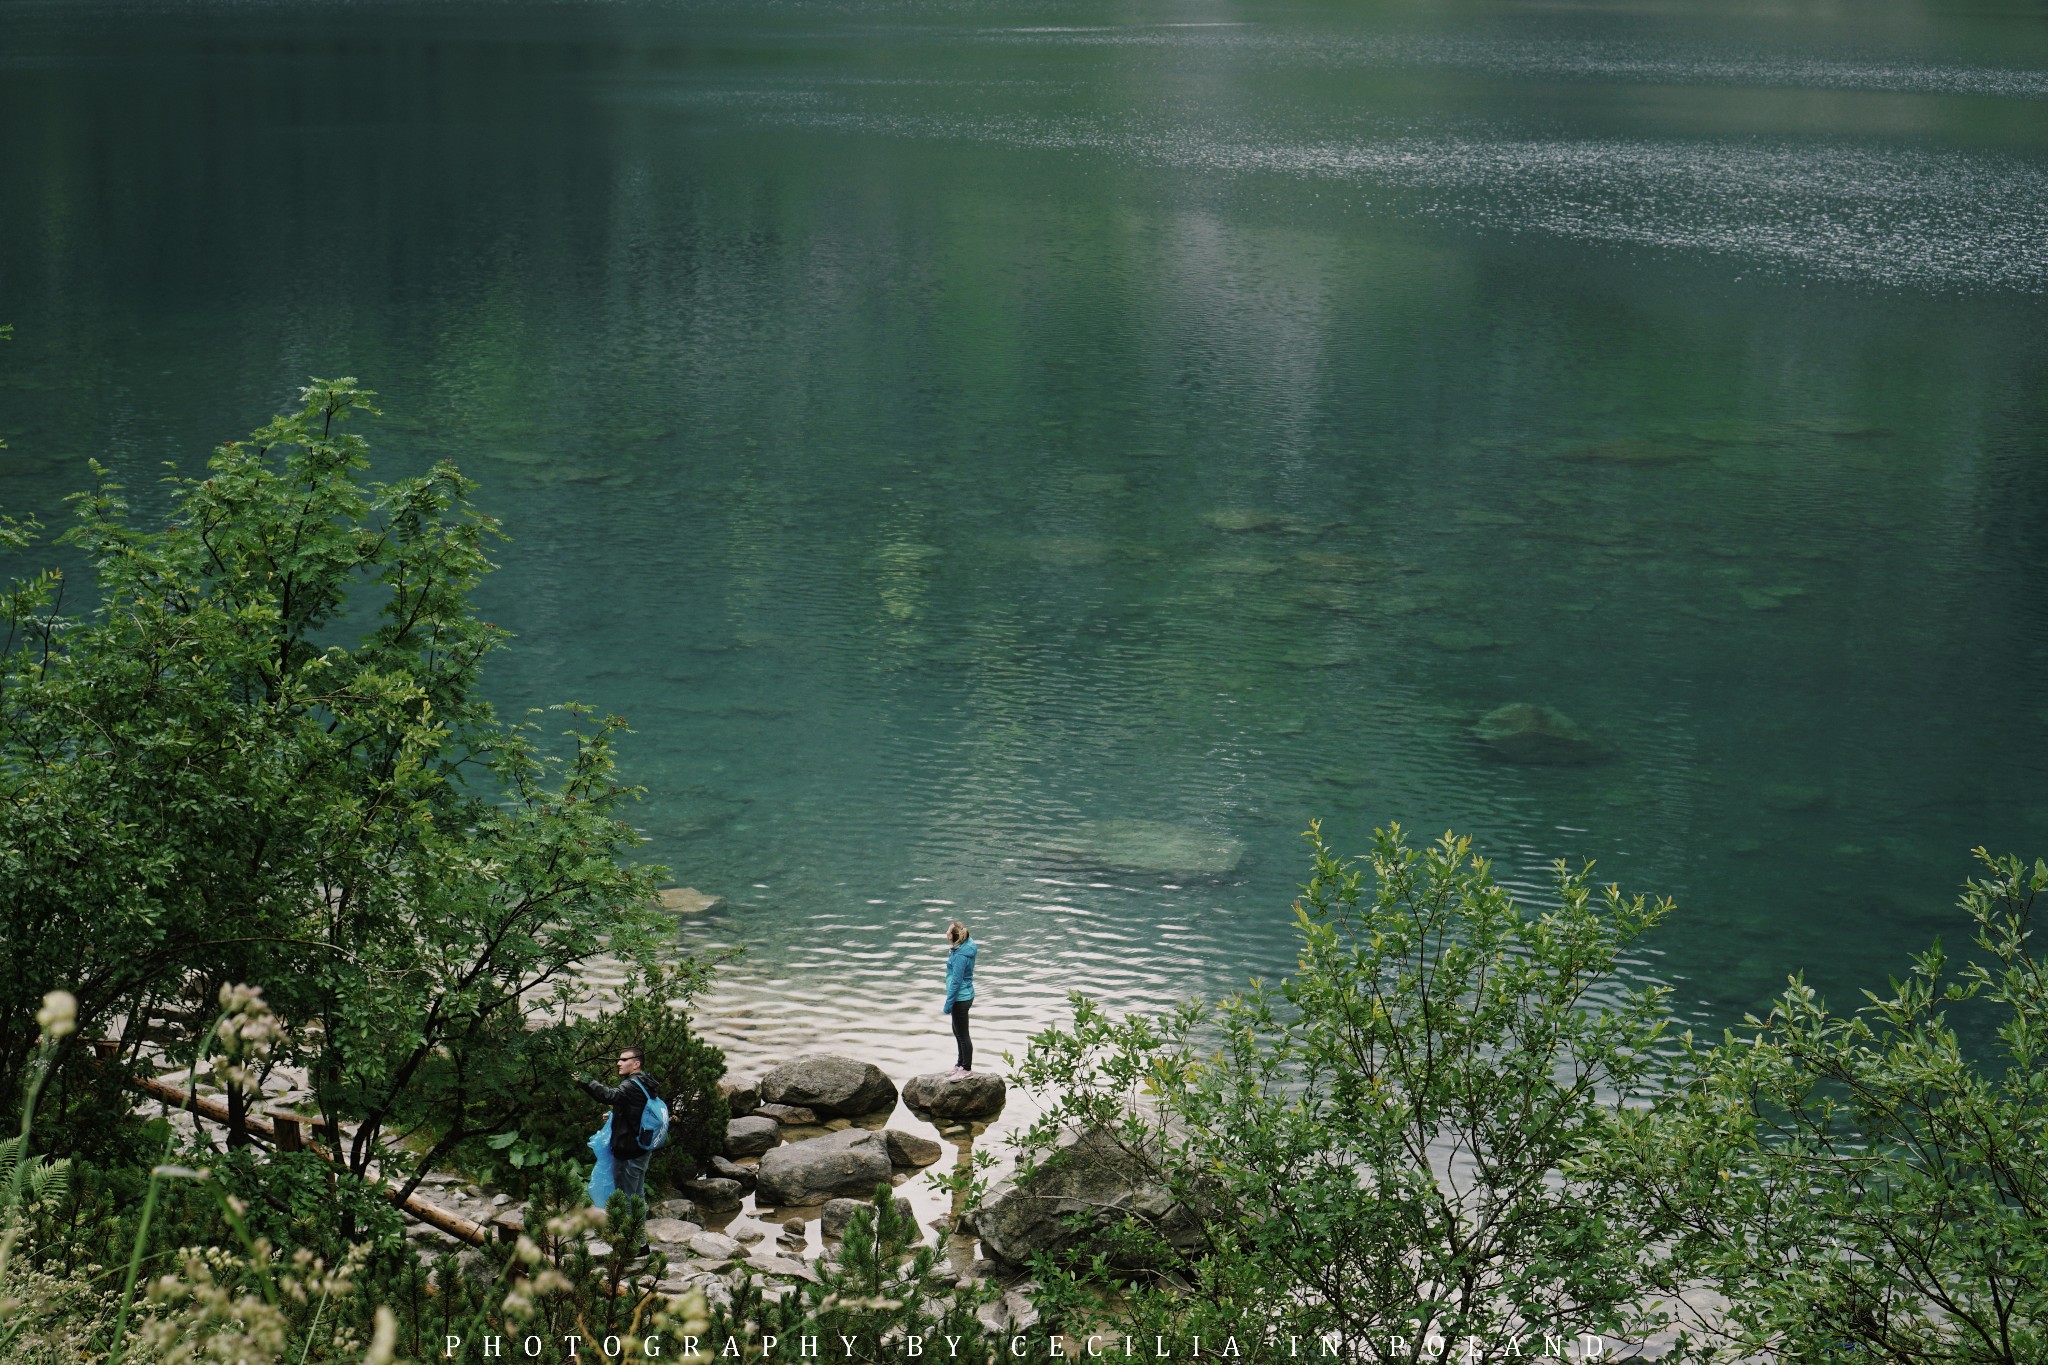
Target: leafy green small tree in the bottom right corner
(1869, 1186)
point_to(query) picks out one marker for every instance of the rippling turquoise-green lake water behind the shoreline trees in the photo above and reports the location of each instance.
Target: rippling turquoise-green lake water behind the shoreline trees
(945, 429)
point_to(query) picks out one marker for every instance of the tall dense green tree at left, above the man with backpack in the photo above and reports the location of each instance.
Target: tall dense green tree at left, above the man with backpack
(204, 779)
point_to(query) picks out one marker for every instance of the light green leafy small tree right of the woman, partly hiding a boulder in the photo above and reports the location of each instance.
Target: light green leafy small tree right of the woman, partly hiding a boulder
(1388, 1145)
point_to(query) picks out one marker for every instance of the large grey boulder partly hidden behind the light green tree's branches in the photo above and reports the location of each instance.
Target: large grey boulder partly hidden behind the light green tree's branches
(1099, 1180)
